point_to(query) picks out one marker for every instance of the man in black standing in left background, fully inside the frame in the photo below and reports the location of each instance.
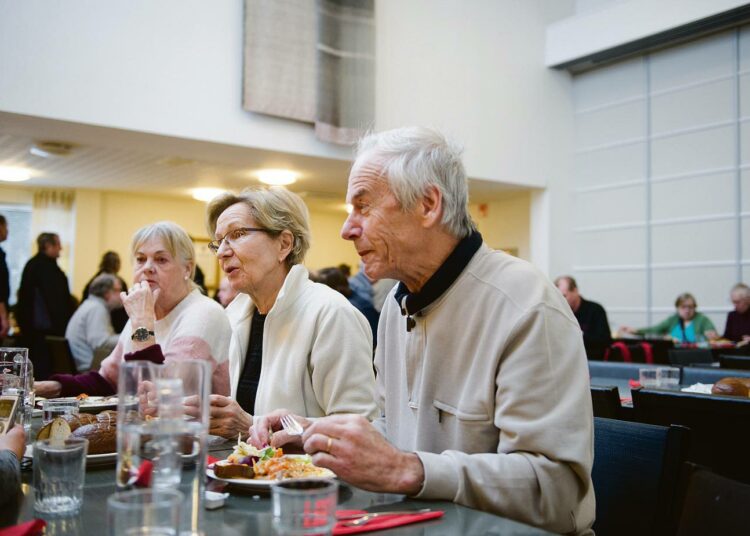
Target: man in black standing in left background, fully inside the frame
(44, 302)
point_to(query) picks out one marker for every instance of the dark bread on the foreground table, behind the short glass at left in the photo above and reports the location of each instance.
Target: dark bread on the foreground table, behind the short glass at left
(100, 430)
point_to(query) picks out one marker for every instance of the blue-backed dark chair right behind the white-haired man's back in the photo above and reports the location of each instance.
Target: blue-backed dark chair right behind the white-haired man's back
(635, 474)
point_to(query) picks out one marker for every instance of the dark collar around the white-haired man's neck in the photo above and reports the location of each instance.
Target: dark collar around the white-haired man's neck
(442, 279)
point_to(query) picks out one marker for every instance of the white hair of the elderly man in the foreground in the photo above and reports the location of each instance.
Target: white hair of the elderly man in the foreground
(414, 158)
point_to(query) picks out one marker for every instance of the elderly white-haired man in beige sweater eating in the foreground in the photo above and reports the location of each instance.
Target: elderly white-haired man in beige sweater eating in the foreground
(482, 380)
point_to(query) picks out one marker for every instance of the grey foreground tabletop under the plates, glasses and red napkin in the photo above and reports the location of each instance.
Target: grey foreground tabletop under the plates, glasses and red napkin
(249, 511)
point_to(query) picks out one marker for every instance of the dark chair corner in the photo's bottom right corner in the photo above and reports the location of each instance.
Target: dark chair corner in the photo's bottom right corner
(713, 504)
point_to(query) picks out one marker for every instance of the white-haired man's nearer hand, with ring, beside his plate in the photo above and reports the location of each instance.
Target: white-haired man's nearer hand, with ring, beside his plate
(352, 448)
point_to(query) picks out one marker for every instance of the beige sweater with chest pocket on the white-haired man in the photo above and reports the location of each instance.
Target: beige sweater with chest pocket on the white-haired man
(491, 389)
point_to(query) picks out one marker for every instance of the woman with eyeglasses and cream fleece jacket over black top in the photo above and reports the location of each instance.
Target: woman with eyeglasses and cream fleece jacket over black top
(295, 344)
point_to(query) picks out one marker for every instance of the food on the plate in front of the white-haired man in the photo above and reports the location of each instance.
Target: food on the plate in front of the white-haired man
(266, 464)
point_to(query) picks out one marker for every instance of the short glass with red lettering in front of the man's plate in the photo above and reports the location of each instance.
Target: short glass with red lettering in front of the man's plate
(304, 506)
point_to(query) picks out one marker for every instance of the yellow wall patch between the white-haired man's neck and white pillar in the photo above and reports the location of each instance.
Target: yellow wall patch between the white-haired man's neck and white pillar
(505, 223)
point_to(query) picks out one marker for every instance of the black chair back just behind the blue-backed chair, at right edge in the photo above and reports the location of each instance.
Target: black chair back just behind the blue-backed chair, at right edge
(718, 424)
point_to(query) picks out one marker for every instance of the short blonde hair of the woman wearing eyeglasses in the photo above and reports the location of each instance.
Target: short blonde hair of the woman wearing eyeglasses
(275, 210)
